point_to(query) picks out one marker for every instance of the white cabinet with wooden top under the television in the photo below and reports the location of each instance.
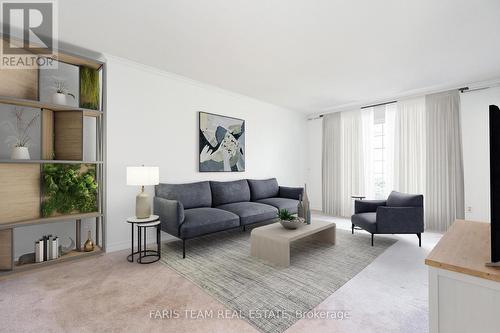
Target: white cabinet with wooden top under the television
(464, 294)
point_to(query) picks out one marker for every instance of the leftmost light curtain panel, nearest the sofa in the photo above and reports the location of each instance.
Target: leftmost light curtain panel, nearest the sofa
(343, 168)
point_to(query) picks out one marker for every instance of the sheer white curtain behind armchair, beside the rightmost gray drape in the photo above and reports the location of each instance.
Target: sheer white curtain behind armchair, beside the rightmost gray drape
(409, 146)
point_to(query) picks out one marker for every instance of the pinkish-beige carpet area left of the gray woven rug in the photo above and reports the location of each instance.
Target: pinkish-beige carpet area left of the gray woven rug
(105, 294)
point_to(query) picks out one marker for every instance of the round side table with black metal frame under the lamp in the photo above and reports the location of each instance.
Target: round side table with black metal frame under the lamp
(142, 251)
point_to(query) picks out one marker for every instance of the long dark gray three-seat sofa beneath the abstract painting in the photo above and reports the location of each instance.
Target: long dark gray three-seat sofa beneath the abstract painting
(195, 209)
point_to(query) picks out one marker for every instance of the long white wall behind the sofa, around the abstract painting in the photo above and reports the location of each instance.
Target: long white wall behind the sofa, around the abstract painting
(152, 120)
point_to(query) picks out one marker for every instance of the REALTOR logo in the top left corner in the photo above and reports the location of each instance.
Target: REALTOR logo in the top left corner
(29, 33)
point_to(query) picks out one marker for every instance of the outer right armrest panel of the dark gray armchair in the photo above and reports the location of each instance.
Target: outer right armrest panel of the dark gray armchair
(400, 220)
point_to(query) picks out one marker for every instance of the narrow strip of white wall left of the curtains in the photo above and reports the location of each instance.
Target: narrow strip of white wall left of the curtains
(313, 167)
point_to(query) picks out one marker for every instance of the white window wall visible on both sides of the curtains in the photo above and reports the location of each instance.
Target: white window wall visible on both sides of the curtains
(475, 139)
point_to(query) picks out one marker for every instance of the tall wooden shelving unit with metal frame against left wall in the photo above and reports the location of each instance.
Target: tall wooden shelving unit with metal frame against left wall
(61, 142)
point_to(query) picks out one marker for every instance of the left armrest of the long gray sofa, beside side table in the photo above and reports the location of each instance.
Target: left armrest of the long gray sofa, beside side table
(171, 213)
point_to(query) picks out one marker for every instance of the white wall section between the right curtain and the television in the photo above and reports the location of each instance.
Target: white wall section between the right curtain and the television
(475, 138)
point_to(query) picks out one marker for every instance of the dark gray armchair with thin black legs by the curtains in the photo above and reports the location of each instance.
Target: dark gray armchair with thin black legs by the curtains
(400, 214)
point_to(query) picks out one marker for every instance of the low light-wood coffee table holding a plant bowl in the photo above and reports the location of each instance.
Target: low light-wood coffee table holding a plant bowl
(272, 242)
